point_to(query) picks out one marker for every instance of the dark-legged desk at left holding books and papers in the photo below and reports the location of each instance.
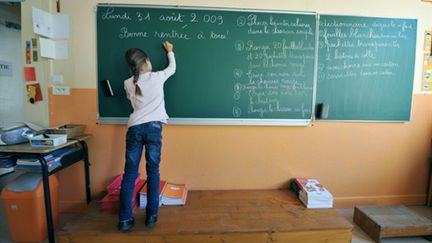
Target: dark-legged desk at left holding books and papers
(27, 151)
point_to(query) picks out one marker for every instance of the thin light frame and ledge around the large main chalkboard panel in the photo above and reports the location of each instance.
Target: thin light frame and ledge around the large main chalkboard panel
(225, 121)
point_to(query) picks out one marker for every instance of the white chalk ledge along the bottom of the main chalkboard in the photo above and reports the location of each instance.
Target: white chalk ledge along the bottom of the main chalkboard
(219, 121)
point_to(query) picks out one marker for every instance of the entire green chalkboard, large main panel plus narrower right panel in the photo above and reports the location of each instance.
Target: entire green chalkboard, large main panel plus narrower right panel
(258, 67)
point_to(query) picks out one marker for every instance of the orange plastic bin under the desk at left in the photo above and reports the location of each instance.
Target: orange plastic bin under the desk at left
(25, 207)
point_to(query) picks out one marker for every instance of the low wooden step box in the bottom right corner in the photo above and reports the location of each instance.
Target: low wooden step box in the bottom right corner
(391, 221)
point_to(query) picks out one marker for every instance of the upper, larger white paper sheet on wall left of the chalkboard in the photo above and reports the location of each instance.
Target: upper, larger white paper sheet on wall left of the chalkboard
(55, 26)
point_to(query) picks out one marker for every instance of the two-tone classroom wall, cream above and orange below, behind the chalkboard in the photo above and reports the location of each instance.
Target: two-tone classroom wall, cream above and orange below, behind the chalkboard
(361, 163)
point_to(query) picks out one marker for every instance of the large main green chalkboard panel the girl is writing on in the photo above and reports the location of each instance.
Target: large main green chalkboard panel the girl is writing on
(233, 66)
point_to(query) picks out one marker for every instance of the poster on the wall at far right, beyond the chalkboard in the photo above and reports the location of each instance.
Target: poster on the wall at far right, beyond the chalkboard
(427, 62)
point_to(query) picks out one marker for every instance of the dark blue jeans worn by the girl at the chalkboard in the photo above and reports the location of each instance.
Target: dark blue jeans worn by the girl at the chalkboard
(148, 135)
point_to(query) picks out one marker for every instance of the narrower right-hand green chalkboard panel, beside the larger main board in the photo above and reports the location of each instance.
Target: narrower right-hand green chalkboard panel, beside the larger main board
(366, 67)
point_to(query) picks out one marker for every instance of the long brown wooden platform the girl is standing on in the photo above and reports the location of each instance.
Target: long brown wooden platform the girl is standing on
(219, 216)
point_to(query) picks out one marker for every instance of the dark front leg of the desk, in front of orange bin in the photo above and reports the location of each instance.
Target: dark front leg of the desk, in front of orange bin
(47, 198)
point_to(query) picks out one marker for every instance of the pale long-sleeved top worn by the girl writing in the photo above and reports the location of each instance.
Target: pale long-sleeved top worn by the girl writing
(150, 106)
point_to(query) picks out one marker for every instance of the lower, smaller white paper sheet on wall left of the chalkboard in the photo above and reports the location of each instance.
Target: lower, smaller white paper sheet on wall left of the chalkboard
(55, 49)
